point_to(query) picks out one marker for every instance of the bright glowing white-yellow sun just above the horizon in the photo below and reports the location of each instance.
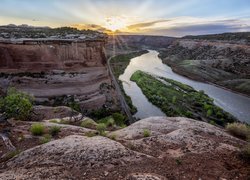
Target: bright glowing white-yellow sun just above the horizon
(115, 23)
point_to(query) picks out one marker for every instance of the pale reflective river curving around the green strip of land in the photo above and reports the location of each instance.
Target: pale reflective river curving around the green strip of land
(236, 104)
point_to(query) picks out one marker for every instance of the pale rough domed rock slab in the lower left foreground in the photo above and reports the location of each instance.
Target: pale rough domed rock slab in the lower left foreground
(71, 152)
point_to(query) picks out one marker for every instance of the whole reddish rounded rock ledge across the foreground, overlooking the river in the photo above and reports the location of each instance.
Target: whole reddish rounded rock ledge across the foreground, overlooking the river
(153, 148)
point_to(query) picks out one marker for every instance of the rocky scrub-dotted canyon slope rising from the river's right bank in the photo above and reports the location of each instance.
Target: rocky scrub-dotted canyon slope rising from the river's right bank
(222, 62)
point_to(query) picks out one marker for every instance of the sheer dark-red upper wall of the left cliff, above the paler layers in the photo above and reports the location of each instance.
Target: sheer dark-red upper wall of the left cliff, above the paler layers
(45, 56)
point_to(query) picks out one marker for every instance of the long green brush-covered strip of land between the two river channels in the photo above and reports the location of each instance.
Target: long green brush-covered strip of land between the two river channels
(177, 99)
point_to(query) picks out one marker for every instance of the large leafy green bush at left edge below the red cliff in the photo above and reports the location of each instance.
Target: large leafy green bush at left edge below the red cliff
(16, 104)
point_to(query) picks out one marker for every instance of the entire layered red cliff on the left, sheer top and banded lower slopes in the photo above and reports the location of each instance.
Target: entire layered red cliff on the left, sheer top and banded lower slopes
(58, 71)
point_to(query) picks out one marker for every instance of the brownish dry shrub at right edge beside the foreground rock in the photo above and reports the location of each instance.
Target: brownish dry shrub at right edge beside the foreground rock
(239, 130)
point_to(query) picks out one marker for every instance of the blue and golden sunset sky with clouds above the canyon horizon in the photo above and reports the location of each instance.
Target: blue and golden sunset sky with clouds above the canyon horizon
(150, 17)
